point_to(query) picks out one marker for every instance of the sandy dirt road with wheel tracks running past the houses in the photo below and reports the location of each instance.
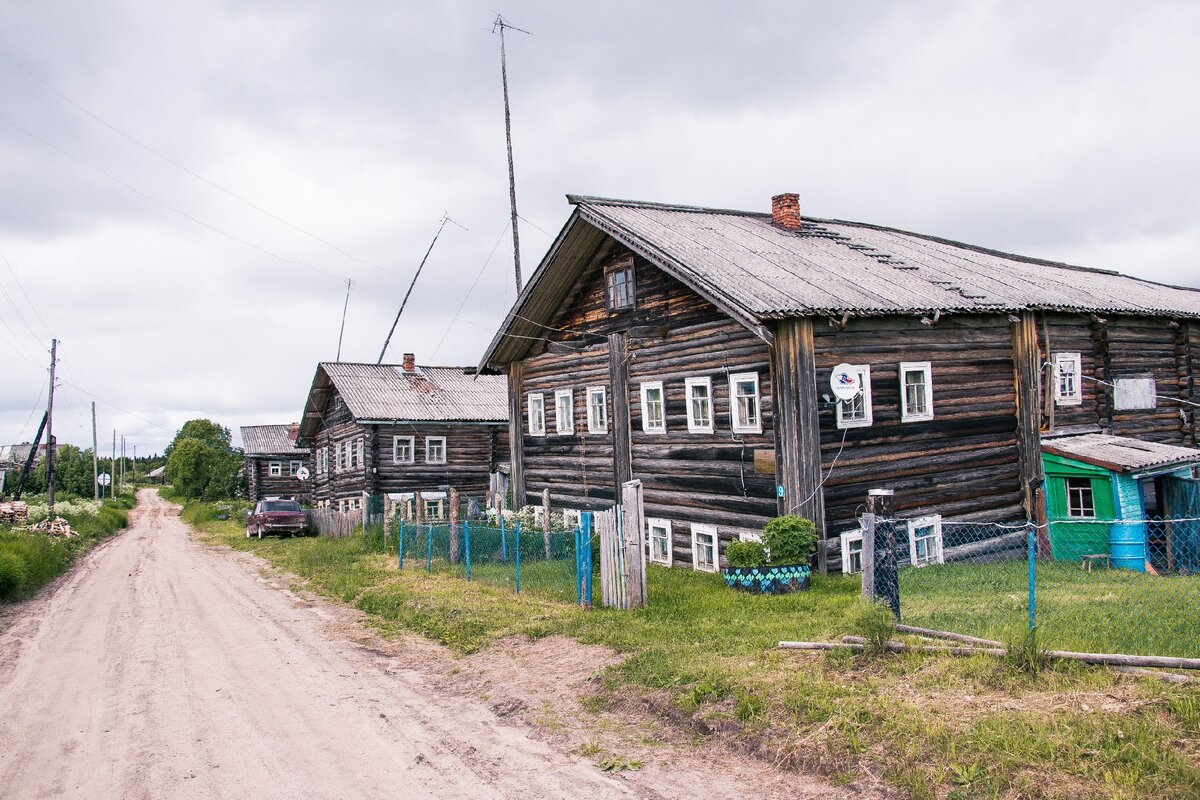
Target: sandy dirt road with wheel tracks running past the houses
(163, 670)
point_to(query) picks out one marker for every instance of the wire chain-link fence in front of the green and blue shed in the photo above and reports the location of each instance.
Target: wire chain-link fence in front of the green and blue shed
(1115, 587)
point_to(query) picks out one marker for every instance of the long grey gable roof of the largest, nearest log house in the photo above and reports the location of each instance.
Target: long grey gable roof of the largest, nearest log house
(757, 272)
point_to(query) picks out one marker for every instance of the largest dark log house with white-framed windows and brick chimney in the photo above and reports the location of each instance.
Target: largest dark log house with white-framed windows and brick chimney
(693, 350)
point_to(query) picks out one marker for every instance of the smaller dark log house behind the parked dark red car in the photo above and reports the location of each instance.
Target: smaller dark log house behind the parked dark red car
(380, 430)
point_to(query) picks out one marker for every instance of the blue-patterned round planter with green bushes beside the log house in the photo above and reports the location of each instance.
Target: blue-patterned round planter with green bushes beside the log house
(779, 563)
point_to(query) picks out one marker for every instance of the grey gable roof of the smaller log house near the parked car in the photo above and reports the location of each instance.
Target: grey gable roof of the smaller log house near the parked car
(382, 393)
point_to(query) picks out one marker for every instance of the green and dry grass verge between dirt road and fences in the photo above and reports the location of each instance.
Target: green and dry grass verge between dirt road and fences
(935, 727)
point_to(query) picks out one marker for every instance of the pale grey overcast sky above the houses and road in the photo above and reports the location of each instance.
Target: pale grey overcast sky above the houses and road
(187, 187)
